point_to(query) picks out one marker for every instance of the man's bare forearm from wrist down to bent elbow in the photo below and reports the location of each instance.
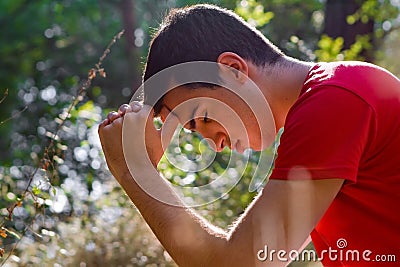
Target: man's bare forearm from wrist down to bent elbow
(188, 238)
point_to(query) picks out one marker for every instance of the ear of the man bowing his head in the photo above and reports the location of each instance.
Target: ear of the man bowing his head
(236, 63)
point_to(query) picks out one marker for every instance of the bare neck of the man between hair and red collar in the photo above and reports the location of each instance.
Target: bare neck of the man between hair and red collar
(281, 85)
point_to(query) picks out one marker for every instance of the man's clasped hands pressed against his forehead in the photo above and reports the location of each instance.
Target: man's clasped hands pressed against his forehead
(130, 132)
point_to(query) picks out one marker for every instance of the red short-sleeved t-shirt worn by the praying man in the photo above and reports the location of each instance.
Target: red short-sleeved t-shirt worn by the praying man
(346, 124)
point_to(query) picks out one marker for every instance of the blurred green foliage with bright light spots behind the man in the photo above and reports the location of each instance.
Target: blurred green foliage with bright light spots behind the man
(74, 212)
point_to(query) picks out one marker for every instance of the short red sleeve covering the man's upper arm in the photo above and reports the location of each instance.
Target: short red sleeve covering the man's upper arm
(326, 133)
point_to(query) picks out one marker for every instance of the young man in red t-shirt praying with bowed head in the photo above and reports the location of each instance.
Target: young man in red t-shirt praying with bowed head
(337, 174)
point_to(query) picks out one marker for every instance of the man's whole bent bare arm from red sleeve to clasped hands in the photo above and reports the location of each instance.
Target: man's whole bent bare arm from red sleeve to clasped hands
(281, 217)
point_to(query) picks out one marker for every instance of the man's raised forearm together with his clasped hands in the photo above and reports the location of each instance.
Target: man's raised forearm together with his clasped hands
(189, 239)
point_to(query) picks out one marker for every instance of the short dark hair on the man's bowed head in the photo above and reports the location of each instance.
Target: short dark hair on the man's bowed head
(201, 33)
